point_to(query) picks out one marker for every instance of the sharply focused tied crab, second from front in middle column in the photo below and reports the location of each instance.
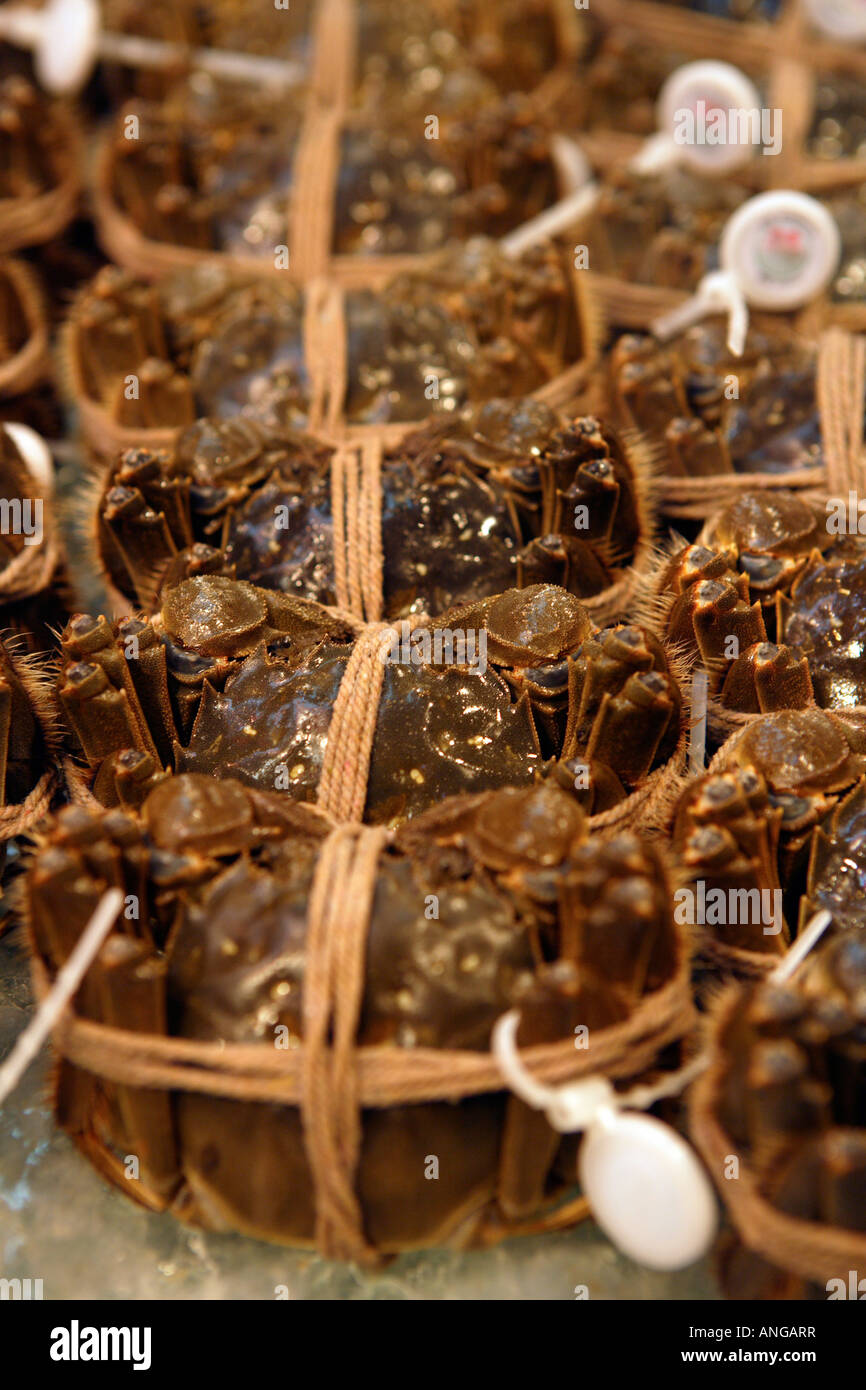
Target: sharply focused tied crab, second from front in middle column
(370, 721)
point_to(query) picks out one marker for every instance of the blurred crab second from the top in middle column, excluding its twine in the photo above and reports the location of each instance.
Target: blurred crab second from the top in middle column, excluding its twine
(216, 173)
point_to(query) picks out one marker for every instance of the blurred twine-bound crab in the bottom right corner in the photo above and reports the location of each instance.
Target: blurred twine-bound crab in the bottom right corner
(783, 1099)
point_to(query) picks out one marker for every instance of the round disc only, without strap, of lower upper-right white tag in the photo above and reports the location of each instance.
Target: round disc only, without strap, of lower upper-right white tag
(782, 248)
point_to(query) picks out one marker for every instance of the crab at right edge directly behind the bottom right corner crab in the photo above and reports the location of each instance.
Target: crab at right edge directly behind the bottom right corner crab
(772, 835)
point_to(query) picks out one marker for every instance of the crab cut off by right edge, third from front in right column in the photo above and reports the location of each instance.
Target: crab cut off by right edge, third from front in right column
(771, 603)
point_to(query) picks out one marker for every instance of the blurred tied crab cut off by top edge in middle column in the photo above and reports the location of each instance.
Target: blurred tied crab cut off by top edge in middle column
(400, 54)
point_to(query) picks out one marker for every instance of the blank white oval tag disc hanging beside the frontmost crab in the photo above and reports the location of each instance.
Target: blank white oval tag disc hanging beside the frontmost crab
(647, 1191)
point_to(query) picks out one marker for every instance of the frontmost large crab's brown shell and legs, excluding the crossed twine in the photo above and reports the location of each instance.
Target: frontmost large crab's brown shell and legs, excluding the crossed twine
(530, 914)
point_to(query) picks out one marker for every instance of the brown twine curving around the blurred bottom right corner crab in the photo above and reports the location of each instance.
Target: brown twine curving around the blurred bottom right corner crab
(811, 1250)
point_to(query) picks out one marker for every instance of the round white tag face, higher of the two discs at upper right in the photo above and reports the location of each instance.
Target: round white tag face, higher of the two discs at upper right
(712, 112)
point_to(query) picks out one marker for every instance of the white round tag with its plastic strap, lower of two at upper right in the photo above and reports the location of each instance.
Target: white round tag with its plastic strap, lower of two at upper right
(779, 252)
